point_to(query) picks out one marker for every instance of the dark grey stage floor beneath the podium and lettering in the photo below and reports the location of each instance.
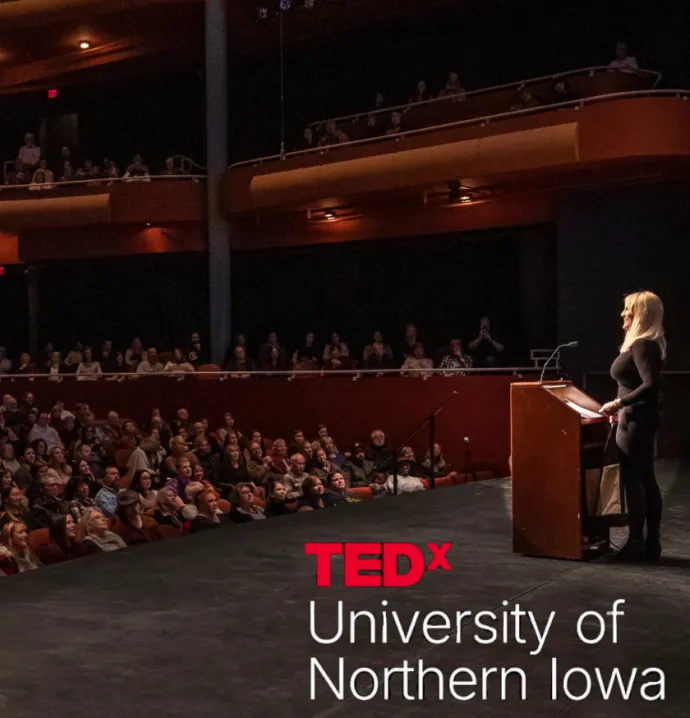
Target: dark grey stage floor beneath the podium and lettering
(218, 624)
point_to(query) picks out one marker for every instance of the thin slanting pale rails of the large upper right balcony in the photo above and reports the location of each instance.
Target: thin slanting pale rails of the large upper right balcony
(482, 119)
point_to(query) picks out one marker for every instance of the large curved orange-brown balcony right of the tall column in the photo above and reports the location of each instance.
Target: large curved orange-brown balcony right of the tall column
(490, 161)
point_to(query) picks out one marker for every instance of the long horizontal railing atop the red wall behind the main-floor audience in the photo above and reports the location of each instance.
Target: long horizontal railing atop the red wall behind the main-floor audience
(288, 374)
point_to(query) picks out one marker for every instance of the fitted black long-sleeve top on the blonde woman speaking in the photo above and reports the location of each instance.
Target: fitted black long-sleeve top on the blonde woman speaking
(638, 373)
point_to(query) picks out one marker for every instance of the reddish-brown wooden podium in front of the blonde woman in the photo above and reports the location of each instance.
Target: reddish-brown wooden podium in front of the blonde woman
(552, 446)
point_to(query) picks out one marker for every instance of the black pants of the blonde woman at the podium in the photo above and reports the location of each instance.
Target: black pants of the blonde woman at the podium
(635, 440)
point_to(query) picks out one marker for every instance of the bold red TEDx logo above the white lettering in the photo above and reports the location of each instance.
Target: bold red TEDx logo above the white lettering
(382, 558)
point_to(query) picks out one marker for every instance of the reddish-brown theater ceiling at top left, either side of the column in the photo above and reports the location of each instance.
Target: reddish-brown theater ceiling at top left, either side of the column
(44, 42)
